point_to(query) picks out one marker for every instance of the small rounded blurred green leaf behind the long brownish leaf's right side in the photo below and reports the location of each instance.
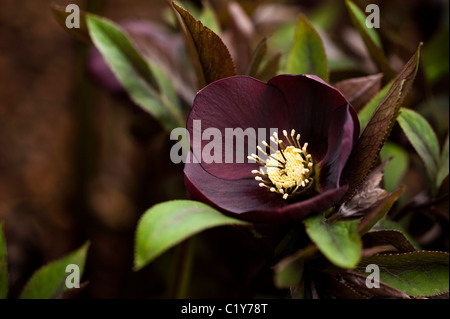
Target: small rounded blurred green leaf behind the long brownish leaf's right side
(396, 167)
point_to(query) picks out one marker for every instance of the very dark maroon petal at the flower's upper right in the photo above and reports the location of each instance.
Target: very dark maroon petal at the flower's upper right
(324, 119)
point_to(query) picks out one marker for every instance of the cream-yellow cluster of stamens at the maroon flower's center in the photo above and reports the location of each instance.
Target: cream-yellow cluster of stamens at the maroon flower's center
(286, 171)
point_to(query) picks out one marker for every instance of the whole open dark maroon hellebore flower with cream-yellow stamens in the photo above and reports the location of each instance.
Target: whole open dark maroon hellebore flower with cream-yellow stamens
(316, 128)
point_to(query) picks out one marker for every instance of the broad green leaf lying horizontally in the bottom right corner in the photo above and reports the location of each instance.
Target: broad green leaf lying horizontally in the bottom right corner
(421, 273)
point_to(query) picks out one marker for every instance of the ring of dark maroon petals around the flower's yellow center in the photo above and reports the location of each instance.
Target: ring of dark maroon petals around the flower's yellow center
(305, 103)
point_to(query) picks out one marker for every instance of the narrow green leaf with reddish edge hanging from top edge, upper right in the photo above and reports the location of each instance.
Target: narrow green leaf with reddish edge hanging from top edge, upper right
(370, 38)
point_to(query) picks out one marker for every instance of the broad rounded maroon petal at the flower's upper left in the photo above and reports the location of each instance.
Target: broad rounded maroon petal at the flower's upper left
(236, 102)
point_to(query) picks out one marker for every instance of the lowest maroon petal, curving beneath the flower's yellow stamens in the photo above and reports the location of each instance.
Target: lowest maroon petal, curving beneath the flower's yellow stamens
(245, 198)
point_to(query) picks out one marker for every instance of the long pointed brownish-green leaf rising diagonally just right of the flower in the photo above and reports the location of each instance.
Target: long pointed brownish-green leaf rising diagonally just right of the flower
(365, 152)
